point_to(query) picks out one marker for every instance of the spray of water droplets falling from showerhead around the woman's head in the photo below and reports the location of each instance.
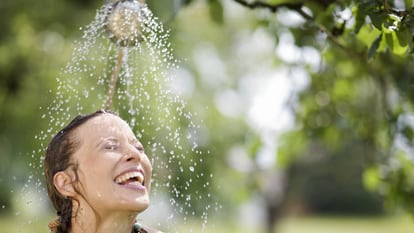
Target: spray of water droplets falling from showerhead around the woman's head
(139, 67)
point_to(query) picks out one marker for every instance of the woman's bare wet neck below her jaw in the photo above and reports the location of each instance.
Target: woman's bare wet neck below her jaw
(87, 220)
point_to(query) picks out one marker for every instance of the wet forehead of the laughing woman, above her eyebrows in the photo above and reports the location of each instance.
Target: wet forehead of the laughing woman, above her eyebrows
(105, 125)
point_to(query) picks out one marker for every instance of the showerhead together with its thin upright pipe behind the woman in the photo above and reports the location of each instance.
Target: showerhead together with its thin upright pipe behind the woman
(124, 24)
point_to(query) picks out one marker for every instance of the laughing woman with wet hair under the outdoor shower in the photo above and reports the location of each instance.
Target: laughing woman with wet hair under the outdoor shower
(98, 176)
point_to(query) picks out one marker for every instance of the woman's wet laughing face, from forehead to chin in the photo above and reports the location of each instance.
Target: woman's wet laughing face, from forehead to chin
(114, 172)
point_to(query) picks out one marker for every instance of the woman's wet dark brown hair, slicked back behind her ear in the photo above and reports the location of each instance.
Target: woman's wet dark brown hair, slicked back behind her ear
(59, 158)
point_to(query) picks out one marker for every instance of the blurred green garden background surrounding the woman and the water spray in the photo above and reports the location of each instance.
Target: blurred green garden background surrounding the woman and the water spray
(306, 108)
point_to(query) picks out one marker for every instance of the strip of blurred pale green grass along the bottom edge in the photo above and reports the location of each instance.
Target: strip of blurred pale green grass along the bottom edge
(401, 224)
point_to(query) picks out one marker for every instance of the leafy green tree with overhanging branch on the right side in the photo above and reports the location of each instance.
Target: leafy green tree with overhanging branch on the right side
(360, 93)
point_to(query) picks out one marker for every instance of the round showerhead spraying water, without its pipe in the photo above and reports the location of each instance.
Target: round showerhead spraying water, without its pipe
(124, 22)
